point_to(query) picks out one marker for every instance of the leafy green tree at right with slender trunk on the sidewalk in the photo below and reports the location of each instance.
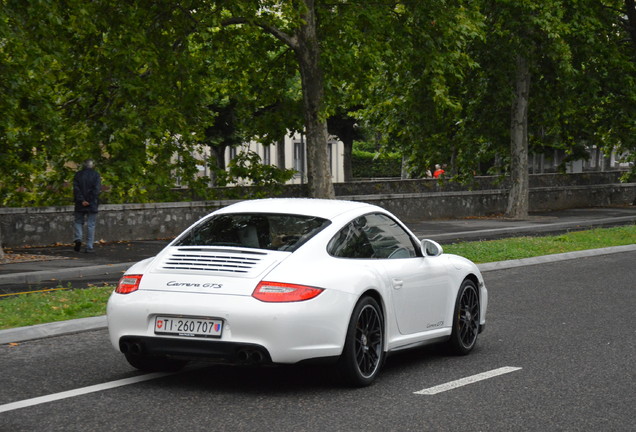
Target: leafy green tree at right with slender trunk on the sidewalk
(565, 59)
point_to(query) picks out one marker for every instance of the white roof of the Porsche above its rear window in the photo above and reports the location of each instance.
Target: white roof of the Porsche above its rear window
(325, 208)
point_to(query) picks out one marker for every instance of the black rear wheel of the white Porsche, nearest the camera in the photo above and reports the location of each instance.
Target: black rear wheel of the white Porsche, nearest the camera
(363, 352)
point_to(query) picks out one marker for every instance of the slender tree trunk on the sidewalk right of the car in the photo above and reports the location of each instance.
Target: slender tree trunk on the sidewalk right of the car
(518, 198)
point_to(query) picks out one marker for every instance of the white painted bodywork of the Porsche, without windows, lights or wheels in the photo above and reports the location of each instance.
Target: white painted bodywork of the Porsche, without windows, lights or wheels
(417, 294)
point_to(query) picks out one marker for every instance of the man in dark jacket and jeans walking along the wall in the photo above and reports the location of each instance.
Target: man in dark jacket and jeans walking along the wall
(86, 188)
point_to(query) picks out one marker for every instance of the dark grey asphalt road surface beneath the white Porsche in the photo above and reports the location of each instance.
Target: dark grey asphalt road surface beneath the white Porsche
(568, 326)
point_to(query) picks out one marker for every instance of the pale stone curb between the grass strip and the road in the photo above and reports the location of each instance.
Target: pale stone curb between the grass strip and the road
(22, 334)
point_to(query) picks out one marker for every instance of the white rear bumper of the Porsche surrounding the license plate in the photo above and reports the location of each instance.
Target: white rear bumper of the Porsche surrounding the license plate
(277, 327)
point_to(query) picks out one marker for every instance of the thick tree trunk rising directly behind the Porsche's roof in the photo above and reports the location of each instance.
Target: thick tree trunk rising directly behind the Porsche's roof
(308, 55)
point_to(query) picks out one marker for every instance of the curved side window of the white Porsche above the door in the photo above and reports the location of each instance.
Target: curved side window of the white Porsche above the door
(372, 236)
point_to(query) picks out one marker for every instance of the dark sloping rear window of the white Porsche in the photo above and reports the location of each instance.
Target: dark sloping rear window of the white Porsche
(270, 231)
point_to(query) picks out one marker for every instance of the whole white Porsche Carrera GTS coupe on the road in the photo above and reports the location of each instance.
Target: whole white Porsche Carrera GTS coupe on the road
(281, 281)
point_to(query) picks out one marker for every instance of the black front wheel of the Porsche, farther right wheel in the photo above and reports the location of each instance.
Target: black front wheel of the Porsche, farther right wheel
(465, 319)
